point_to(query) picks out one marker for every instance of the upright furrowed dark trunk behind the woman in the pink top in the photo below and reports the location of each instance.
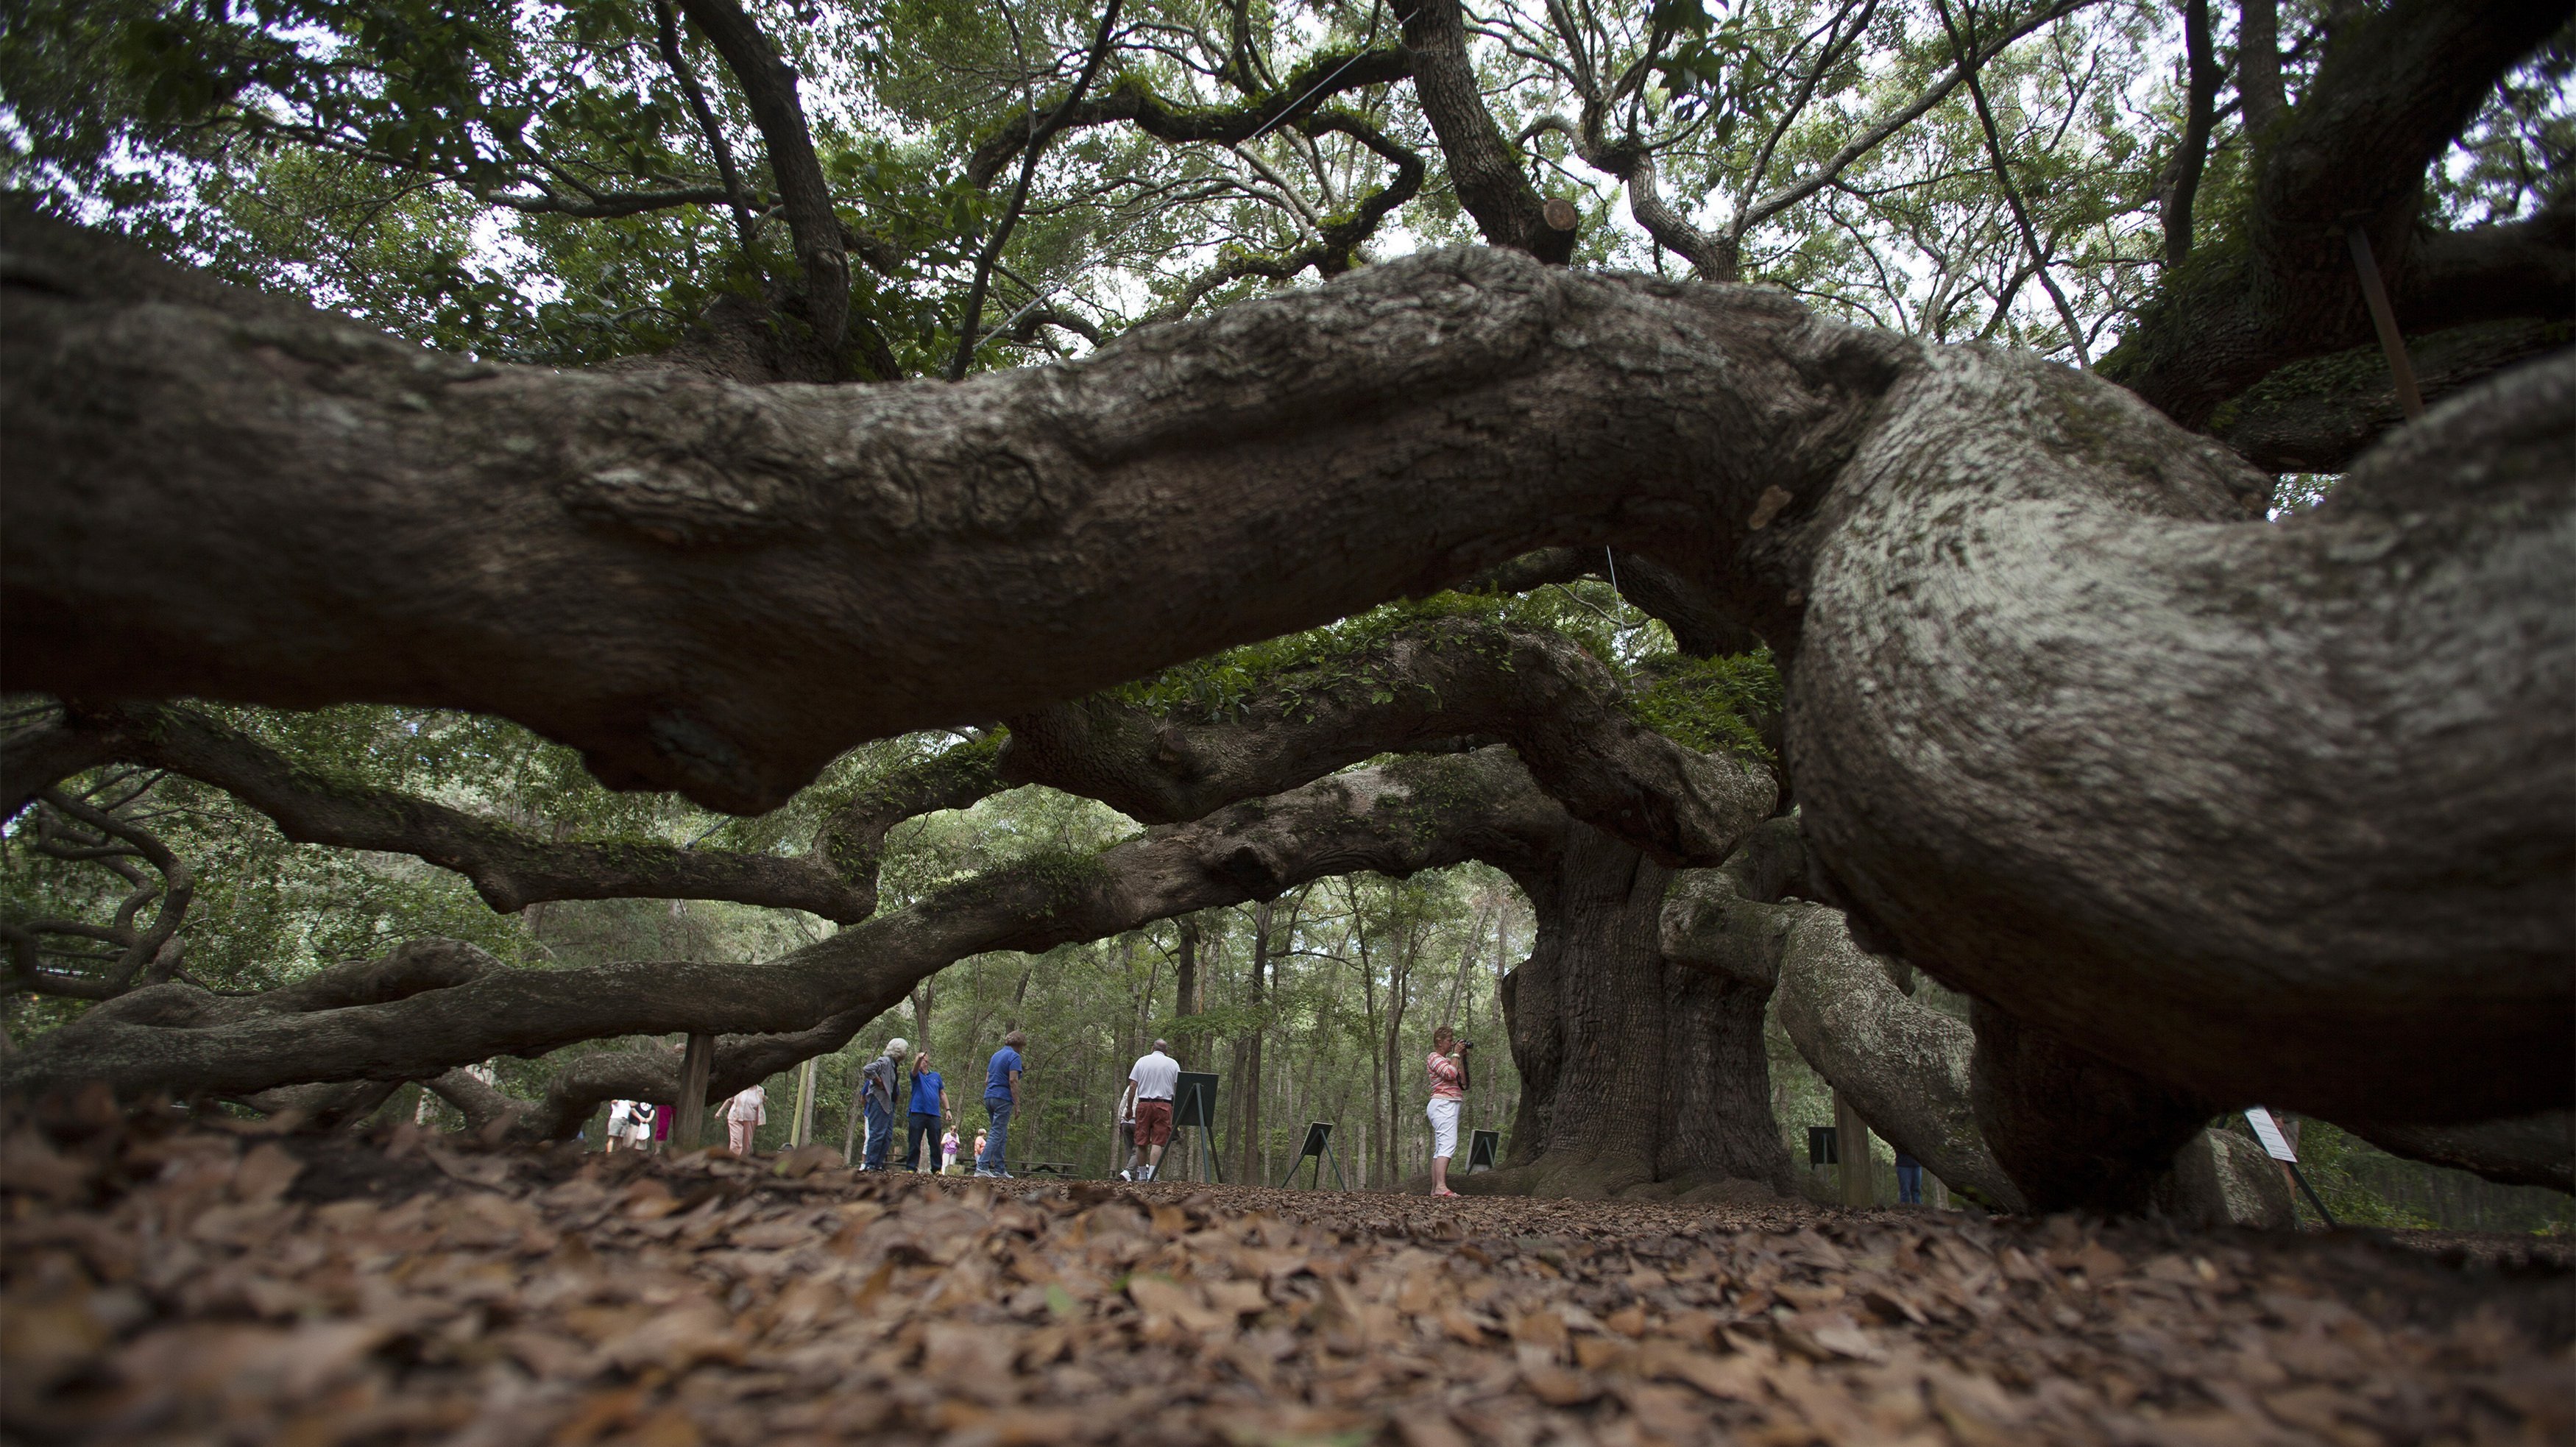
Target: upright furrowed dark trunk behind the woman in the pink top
(1632, 1072)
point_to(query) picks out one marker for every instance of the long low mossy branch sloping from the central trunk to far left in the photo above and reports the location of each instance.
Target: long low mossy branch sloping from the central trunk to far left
(439, 1003)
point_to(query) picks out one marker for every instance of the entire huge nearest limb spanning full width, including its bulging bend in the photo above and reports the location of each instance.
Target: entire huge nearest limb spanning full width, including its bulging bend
(723, 588)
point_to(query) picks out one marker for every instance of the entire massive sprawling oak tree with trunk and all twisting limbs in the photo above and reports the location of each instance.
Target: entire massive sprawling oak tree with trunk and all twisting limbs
(2204, 810)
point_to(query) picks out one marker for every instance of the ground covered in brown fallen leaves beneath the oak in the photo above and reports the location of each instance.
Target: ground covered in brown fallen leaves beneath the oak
(182, 1284)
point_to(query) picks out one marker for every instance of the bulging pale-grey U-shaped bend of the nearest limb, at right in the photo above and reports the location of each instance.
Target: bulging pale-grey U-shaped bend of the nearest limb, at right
(2268, 812)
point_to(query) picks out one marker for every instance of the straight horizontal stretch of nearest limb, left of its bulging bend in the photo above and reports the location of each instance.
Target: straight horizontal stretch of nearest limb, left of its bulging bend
(717, 588)
